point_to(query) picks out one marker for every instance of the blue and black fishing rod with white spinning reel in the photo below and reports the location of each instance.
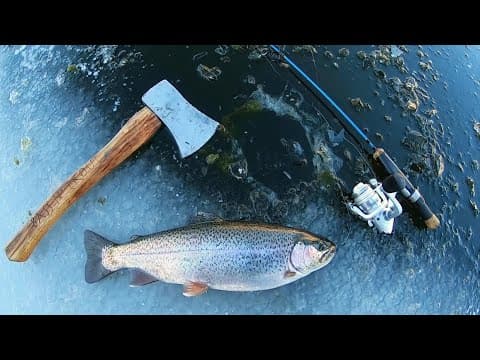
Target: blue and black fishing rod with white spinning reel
(374, 202)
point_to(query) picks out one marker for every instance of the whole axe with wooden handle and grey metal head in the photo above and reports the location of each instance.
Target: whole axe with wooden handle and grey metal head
(190, 129)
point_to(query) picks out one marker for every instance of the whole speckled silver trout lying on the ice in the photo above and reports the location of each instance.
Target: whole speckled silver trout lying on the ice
(212, 253)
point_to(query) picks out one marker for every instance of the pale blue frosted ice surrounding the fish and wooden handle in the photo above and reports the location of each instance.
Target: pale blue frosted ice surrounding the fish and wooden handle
(412, 272)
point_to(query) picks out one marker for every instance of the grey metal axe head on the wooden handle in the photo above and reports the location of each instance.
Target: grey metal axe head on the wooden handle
(190, 128)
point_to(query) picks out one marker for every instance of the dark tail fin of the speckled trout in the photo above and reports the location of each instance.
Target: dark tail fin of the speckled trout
(94, 245)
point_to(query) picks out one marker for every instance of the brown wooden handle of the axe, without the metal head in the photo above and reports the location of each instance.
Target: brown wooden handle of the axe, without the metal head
(139, 128)
